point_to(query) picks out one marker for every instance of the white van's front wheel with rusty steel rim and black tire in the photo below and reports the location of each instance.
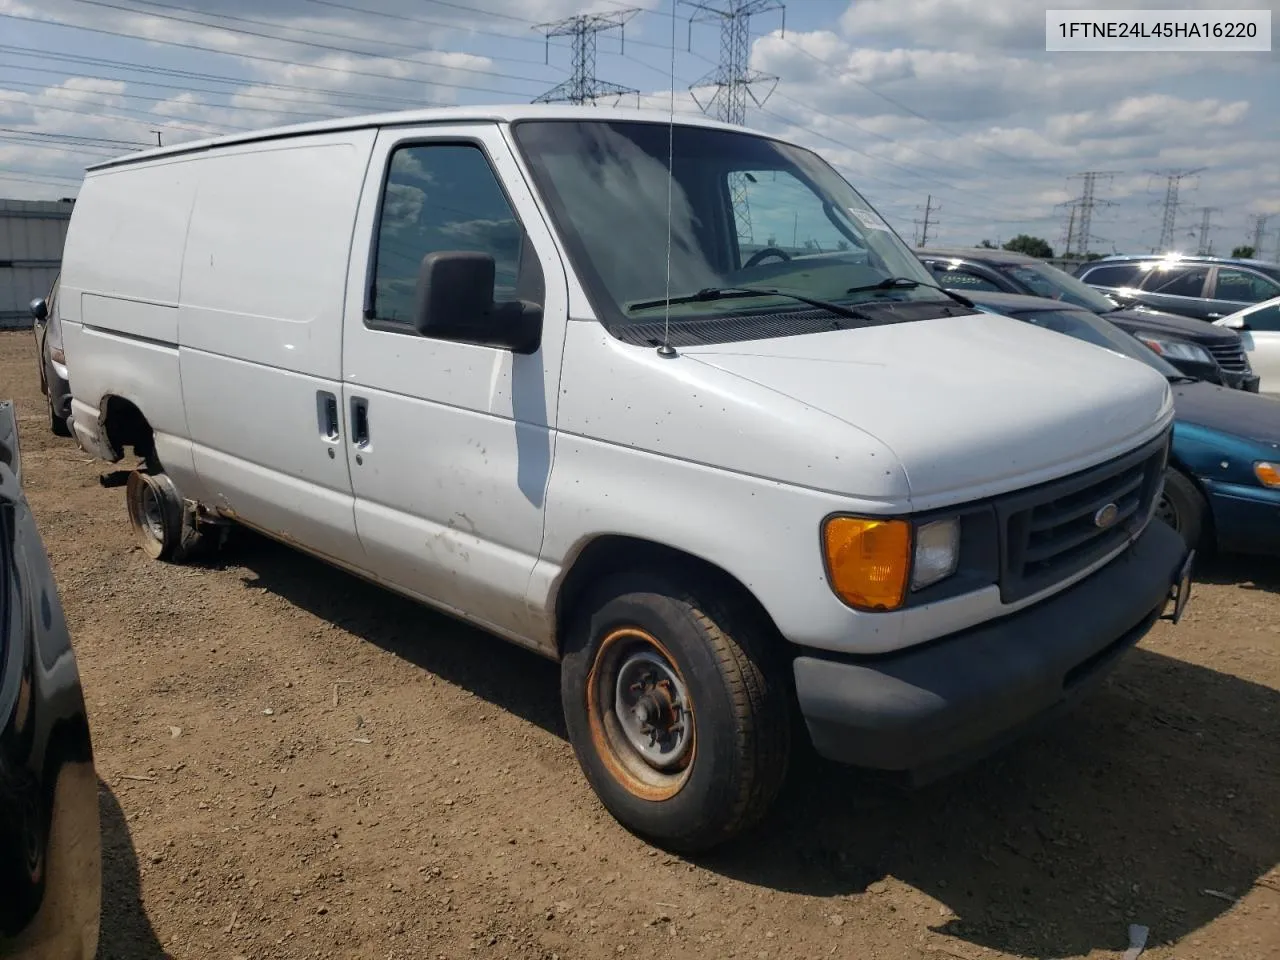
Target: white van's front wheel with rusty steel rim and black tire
(678, 715)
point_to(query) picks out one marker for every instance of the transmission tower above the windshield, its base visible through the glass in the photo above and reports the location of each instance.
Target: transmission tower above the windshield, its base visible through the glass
(734, 79)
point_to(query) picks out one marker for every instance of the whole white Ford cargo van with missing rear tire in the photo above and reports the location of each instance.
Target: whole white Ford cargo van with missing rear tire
(669, 403)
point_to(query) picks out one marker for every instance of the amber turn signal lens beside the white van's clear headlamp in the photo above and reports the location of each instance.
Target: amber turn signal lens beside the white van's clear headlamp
(868, 561)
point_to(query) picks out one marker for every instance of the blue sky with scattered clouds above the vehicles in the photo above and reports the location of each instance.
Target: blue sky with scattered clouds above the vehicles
(954, 100)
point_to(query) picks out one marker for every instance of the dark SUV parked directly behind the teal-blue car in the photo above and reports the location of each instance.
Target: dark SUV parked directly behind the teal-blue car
(1196, 349)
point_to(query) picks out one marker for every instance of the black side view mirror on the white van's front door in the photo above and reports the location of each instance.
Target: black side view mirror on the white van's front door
(455, 299)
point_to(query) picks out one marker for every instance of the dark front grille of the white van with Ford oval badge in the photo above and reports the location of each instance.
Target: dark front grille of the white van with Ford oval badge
(1052, 532)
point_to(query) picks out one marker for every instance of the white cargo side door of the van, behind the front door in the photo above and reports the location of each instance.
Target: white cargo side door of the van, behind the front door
(260, 324)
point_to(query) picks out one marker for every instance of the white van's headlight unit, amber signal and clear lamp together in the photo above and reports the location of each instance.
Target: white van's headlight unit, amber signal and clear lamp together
(870, 561)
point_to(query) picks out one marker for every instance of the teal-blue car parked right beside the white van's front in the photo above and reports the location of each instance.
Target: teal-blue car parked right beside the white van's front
(1223, 481)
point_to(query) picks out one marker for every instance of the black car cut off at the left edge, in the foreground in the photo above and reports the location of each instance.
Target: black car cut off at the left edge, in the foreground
(51, 849)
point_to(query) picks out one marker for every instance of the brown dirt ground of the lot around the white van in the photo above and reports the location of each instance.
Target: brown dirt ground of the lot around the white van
(298, 765)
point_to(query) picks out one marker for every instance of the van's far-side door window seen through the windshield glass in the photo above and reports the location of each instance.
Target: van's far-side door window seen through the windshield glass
(774, 209)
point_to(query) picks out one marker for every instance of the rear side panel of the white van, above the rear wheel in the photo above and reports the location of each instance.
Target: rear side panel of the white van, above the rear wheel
(120, 290)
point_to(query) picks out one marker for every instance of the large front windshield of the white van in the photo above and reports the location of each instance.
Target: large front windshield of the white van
(746, 212)
